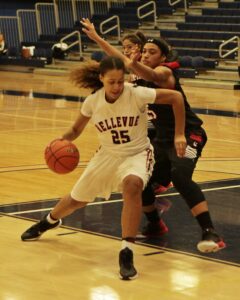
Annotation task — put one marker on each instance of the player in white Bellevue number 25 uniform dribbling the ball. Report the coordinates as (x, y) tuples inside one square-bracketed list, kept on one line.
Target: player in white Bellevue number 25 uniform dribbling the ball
[(125, 159)]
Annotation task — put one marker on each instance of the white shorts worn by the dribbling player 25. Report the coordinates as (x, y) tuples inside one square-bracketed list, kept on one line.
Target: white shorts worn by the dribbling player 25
[(105, 173)]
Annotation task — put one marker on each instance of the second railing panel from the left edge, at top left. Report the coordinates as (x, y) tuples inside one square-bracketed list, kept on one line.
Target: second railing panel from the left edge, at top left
[(27, 25)]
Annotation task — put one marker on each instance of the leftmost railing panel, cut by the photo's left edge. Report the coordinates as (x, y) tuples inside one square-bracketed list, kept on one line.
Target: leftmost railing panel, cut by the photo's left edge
[(9, 28)]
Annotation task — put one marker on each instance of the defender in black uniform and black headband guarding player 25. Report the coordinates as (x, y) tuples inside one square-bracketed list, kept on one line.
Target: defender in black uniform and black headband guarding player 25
[(169, 167)]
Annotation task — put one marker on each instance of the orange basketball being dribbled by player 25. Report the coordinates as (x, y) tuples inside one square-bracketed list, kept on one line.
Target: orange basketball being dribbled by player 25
[(61, 156)]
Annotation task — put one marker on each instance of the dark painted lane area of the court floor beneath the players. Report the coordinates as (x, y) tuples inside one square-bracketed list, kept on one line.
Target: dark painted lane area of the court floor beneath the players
[(184, 233)]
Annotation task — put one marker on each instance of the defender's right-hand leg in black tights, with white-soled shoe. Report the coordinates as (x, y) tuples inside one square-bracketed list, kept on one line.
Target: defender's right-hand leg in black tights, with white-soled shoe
[(182, 171)]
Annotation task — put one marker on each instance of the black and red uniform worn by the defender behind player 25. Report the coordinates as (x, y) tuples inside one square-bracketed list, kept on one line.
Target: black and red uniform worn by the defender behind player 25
[(169, 167)]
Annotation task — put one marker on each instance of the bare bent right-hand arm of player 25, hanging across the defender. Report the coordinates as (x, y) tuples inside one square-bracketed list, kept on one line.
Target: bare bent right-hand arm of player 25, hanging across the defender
[(174, 98)]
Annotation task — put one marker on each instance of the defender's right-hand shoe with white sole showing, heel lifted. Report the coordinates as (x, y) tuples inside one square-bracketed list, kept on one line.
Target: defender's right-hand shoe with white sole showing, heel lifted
[(211, 241)]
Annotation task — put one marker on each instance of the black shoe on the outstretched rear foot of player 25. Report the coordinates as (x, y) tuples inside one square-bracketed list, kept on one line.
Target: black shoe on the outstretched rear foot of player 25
[(35, 231)]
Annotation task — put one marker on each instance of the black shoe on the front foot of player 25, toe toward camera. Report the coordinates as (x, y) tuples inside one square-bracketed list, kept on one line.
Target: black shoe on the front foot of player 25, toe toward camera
[(127, 269)]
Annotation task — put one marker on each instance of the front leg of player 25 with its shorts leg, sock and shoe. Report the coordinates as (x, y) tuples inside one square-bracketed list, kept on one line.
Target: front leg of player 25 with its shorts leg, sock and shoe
[(135, 173)]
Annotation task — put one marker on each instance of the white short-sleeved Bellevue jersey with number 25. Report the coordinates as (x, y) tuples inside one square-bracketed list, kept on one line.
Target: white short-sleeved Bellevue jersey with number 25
[(122, 125)]
